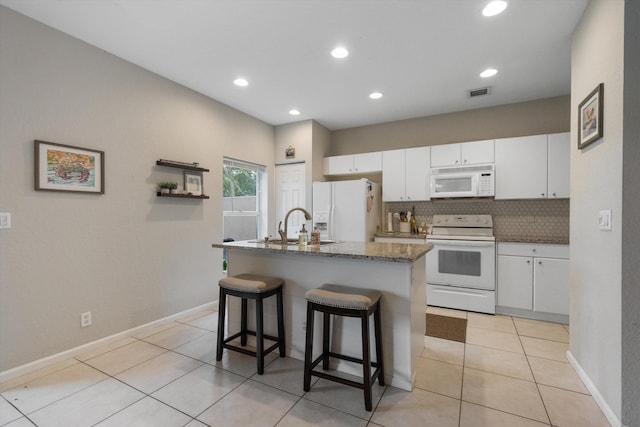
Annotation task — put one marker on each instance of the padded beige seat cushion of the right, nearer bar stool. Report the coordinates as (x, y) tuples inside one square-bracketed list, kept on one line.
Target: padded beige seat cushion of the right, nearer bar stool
[(343, 296)]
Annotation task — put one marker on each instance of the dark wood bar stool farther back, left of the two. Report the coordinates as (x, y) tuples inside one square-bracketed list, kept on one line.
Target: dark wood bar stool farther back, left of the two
[(255, 287)]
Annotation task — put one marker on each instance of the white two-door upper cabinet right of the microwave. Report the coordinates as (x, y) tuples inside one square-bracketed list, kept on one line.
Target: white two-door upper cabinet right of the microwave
[(532, 167)]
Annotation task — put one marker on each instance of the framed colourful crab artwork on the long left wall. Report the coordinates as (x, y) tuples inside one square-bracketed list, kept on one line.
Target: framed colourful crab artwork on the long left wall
[(60, 167)]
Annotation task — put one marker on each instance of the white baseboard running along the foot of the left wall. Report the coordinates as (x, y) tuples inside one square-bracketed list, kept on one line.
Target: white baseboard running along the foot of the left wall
[(12, 373)]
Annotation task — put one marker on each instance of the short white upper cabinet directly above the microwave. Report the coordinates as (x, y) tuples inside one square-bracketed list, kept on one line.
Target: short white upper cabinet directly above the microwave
[(461, 154)]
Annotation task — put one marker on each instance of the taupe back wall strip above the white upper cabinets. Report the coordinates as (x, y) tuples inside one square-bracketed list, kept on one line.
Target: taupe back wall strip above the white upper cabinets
[(550, 115)]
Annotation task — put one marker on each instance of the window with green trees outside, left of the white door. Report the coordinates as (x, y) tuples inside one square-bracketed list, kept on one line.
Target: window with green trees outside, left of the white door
[(245, 201)]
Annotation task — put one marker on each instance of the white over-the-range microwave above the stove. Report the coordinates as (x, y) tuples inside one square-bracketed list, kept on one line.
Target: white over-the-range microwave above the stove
[(463, 181)]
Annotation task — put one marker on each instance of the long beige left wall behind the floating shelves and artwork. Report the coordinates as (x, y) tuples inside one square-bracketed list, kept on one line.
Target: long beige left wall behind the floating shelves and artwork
[(126, 256)]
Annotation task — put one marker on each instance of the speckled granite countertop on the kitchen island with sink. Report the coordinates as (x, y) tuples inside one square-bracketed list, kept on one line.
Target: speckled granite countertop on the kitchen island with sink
[(390, 252)]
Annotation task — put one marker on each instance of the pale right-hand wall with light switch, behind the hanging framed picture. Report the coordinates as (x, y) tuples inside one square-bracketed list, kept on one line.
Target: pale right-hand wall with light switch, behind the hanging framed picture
[(596, 184)]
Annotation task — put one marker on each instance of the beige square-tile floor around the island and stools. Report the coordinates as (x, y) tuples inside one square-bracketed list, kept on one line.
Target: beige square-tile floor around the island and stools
[(511, 372)]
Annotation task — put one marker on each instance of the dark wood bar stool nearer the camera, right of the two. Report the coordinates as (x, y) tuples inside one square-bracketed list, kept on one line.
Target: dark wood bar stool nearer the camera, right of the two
[(350, 302)]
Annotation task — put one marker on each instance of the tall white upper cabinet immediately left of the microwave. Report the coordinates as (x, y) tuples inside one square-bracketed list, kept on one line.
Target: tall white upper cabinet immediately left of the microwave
[(405, 175)]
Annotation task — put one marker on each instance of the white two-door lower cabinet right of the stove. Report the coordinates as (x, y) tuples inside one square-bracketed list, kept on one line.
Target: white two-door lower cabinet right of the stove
[(533, 277)]
